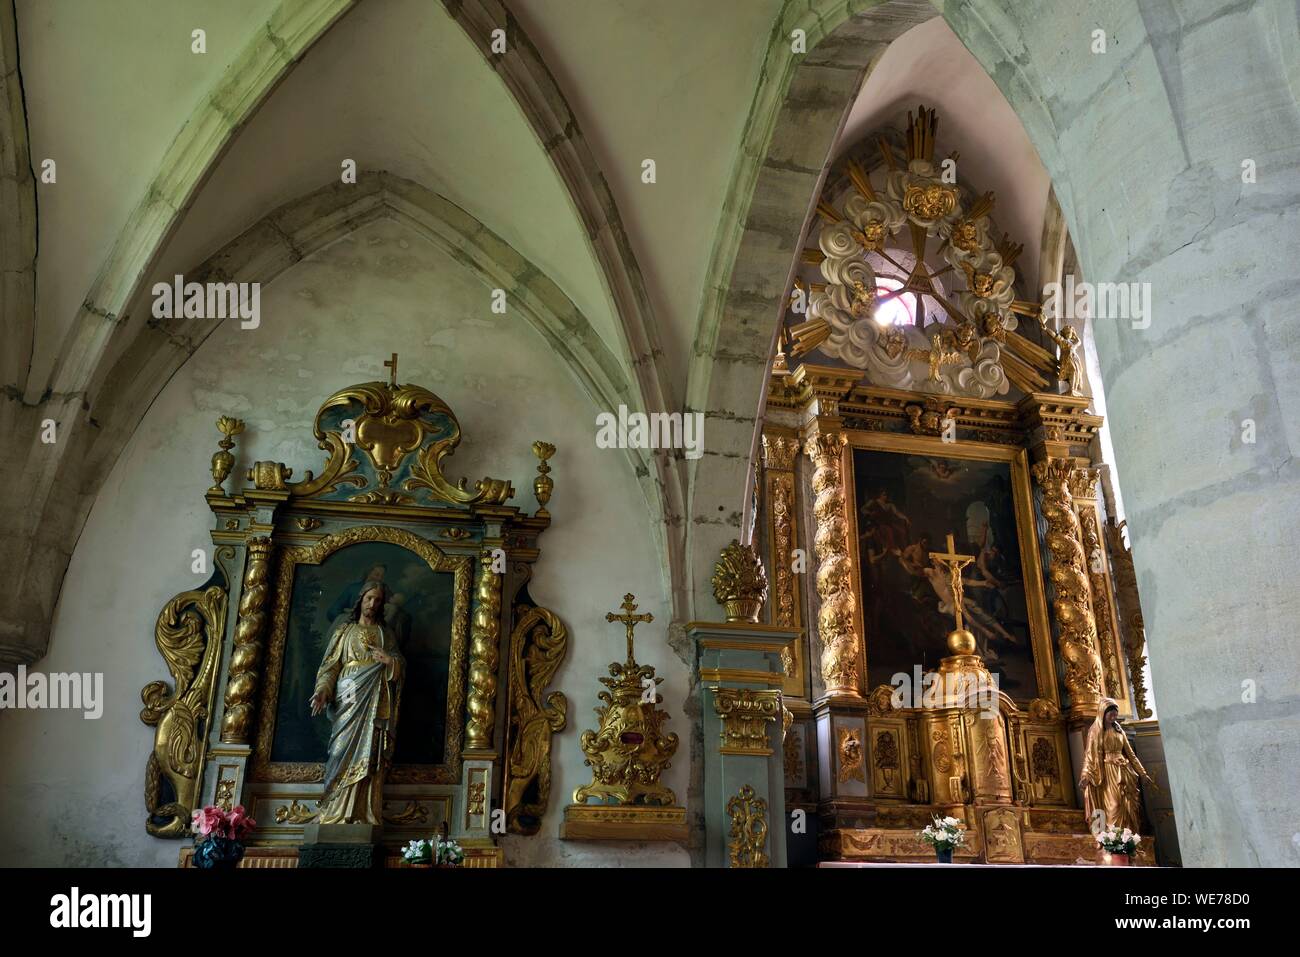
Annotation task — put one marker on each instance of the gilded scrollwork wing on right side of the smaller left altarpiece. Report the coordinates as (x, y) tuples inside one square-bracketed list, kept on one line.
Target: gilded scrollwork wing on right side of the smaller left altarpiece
[(538, 647)]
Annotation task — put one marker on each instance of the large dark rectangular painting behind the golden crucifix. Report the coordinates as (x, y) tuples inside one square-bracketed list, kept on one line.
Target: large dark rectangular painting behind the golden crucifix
[(907, 508)]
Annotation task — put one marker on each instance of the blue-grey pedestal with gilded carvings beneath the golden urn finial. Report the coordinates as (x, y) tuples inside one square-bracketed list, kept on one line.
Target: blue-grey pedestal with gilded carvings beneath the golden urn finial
[(740, 682)]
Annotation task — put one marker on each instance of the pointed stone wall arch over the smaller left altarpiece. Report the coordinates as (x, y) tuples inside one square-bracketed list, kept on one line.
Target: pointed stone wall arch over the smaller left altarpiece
[(123, 395)]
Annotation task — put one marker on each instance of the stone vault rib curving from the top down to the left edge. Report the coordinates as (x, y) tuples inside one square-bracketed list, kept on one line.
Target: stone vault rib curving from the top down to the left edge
[(37, 539)]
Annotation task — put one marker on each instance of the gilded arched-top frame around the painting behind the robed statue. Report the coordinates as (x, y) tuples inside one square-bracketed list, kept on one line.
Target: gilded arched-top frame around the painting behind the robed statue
[(265, 770)]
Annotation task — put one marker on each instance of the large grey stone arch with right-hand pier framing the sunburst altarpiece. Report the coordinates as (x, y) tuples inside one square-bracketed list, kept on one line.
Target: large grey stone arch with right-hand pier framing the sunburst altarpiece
[(1147, 167)]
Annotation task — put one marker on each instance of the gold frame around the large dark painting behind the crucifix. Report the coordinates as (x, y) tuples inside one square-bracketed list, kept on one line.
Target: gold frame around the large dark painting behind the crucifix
[(1022, 497)]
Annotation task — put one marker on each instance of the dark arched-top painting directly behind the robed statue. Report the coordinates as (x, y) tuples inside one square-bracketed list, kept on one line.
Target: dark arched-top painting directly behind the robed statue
[(418, 609)]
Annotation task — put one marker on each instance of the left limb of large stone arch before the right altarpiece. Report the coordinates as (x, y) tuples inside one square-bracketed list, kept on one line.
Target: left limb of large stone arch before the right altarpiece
[(796, 116)]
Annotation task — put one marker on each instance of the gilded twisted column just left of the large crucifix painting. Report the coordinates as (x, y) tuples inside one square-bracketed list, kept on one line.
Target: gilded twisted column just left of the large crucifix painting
[(840, 651)]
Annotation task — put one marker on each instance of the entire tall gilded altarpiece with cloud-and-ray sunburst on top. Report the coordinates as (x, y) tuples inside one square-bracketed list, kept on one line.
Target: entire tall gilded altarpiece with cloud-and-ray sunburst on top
[(972, 379)]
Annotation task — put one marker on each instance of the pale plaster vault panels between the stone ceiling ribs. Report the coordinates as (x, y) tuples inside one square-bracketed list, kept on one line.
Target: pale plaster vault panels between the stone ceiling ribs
[(396, 85)]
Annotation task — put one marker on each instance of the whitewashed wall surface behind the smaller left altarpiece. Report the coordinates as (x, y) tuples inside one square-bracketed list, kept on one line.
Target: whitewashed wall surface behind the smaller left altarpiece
[(72, 789)]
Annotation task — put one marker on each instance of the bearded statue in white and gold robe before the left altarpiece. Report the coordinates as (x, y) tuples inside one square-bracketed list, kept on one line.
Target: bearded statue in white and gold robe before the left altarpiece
[(359, 687)]
